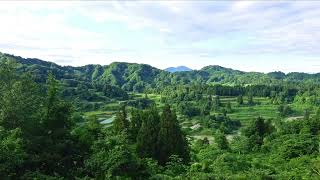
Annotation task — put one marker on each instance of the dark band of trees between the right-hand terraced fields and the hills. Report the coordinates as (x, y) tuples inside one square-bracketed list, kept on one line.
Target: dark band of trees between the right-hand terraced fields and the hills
[(200, 91)]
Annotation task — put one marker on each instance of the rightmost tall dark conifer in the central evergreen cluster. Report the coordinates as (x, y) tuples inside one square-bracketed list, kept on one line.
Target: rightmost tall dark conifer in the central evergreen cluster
[(171, 140)]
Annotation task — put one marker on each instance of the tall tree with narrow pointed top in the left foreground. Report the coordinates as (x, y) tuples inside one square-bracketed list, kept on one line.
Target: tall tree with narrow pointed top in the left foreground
[(53, 151)]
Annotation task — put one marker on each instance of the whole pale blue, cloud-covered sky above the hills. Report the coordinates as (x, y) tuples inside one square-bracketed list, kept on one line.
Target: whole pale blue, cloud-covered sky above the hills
[(251, 35)]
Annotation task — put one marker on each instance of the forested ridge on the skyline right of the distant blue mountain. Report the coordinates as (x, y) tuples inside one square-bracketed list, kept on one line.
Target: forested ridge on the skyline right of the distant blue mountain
[(222, 75)]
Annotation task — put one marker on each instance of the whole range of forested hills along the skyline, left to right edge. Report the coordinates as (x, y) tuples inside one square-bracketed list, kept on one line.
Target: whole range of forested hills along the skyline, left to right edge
[(138, 77)]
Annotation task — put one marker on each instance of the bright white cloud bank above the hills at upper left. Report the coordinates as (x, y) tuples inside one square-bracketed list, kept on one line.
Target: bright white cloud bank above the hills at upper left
[(48, 36)]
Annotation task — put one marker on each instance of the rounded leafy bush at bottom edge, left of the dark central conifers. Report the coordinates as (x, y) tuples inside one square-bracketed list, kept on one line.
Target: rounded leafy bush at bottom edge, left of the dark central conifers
[(112, 158)]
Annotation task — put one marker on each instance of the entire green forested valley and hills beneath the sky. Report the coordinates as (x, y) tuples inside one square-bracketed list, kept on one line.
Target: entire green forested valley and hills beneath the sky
[(134, 121)]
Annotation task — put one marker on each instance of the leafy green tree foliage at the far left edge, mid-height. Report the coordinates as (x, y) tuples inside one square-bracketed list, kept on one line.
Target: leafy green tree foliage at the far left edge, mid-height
[(19, 101)]
